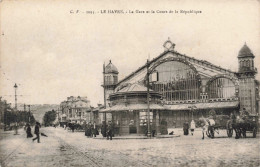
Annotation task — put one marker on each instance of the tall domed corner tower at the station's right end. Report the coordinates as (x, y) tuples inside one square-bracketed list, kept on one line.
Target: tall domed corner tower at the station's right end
[(248, 87)]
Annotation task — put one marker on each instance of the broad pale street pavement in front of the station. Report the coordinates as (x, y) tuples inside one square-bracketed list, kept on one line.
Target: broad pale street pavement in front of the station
[(64, 148)]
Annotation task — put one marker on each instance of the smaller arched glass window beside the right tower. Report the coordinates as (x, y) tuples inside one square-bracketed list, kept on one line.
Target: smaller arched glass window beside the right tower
[(221, 88)]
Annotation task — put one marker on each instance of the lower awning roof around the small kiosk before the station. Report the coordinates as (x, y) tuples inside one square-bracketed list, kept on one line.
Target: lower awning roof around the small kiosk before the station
[(123, 107)]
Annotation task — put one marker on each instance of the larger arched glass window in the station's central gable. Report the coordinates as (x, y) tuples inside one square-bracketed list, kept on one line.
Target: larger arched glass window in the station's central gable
[(176, 81)]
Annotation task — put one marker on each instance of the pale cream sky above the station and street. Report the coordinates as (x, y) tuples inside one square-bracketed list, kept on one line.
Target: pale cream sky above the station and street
[(52, 52)]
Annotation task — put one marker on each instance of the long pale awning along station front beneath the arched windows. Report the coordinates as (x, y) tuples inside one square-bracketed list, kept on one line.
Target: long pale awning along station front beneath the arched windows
[(230, 104)]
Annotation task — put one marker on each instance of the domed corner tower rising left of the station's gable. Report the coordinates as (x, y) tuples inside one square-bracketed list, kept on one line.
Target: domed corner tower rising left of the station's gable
[(110, 80)]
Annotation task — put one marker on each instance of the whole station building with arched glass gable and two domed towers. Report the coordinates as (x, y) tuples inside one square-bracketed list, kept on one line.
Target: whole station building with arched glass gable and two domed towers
[(181, 88)]
